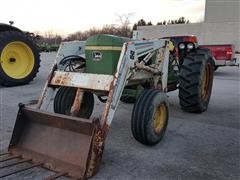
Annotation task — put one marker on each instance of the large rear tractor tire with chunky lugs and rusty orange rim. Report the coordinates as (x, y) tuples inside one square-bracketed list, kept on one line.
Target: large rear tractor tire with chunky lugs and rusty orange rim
[(195, 81)]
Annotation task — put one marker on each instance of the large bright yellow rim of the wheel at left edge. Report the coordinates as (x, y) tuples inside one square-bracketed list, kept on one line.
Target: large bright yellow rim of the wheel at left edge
[(17, 60)]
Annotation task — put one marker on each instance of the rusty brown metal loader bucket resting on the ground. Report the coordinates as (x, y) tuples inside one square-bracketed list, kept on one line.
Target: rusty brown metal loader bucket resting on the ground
[(61, 143)]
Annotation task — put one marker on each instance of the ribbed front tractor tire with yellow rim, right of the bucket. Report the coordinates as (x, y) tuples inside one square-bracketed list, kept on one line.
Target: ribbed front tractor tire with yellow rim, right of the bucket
[(150, 117)]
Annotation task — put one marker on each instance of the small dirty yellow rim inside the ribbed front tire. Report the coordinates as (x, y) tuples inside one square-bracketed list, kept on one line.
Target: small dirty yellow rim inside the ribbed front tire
[(160, 117)]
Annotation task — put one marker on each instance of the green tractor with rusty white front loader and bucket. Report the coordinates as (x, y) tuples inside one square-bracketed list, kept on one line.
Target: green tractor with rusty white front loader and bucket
[(69, 140)]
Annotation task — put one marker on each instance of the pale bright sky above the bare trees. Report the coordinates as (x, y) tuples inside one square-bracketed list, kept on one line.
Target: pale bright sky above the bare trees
[(68, 16)]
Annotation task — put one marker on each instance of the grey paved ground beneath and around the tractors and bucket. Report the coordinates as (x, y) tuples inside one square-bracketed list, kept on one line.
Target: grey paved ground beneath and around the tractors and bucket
[(195, 146)]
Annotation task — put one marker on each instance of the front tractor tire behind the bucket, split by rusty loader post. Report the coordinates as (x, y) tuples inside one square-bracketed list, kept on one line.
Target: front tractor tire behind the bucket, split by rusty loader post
[(64, 99)]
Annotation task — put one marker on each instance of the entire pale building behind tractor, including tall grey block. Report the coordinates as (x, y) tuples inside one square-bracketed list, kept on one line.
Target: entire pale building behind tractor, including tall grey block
[(221, 26)]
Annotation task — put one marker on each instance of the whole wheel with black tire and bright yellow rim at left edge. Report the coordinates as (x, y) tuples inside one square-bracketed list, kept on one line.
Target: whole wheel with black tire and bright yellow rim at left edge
[(19, 58)]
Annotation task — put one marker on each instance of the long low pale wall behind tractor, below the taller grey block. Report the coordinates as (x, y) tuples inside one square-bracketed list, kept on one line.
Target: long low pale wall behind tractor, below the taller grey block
[(207, 33)]
